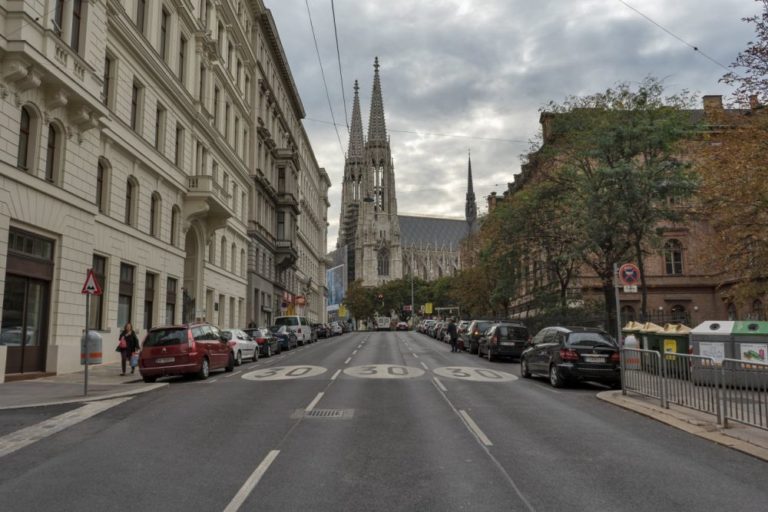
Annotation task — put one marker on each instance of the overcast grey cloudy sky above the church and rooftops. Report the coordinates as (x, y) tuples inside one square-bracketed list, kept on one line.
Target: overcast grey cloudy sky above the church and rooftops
[(461, 74)]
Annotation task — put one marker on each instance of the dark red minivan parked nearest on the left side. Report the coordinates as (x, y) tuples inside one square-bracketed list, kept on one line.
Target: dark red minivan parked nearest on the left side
[(194, 348)]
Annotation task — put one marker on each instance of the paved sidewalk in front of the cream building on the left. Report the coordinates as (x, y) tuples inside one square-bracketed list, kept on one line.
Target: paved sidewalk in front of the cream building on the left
[(104, 381)]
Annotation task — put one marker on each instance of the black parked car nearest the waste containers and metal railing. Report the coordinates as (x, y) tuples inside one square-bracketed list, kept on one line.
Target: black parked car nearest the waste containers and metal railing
[(566, 354)]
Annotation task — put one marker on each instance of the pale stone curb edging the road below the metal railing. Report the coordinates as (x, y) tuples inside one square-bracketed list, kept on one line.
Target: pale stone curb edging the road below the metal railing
[(705, 430)]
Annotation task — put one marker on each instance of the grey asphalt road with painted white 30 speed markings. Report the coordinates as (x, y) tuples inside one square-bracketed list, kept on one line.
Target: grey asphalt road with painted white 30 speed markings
[(373, 421)]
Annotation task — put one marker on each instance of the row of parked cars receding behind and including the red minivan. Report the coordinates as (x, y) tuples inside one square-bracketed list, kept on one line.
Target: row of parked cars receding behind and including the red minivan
[(199, 348)]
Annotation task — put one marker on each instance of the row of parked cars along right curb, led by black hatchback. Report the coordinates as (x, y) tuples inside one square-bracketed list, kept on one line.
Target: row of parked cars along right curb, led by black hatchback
[(561, 354)]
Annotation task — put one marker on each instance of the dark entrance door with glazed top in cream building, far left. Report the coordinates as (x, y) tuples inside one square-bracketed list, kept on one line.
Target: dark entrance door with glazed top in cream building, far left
[(24, 321)]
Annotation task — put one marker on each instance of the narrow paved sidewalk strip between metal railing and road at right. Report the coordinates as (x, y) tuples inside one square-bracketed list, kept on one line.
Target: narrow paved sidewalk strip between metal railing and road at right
[(750, 440)]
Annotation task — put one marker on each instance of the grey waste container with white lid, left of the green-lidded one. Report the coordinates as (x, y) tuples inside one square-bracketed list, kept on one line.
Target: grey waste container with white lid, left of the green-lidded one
[(712, 338)]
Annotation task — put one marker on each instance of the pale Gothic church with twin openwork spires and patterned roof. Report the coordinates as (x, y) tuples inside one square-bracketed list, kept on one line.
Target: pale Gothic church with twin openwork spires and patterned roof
[(375, 242)]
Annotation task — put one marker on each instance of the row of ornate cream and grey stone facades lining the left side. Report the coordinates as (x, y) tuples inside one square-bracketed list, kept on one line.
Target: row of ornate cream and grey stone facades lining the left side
[(138, 135)]
